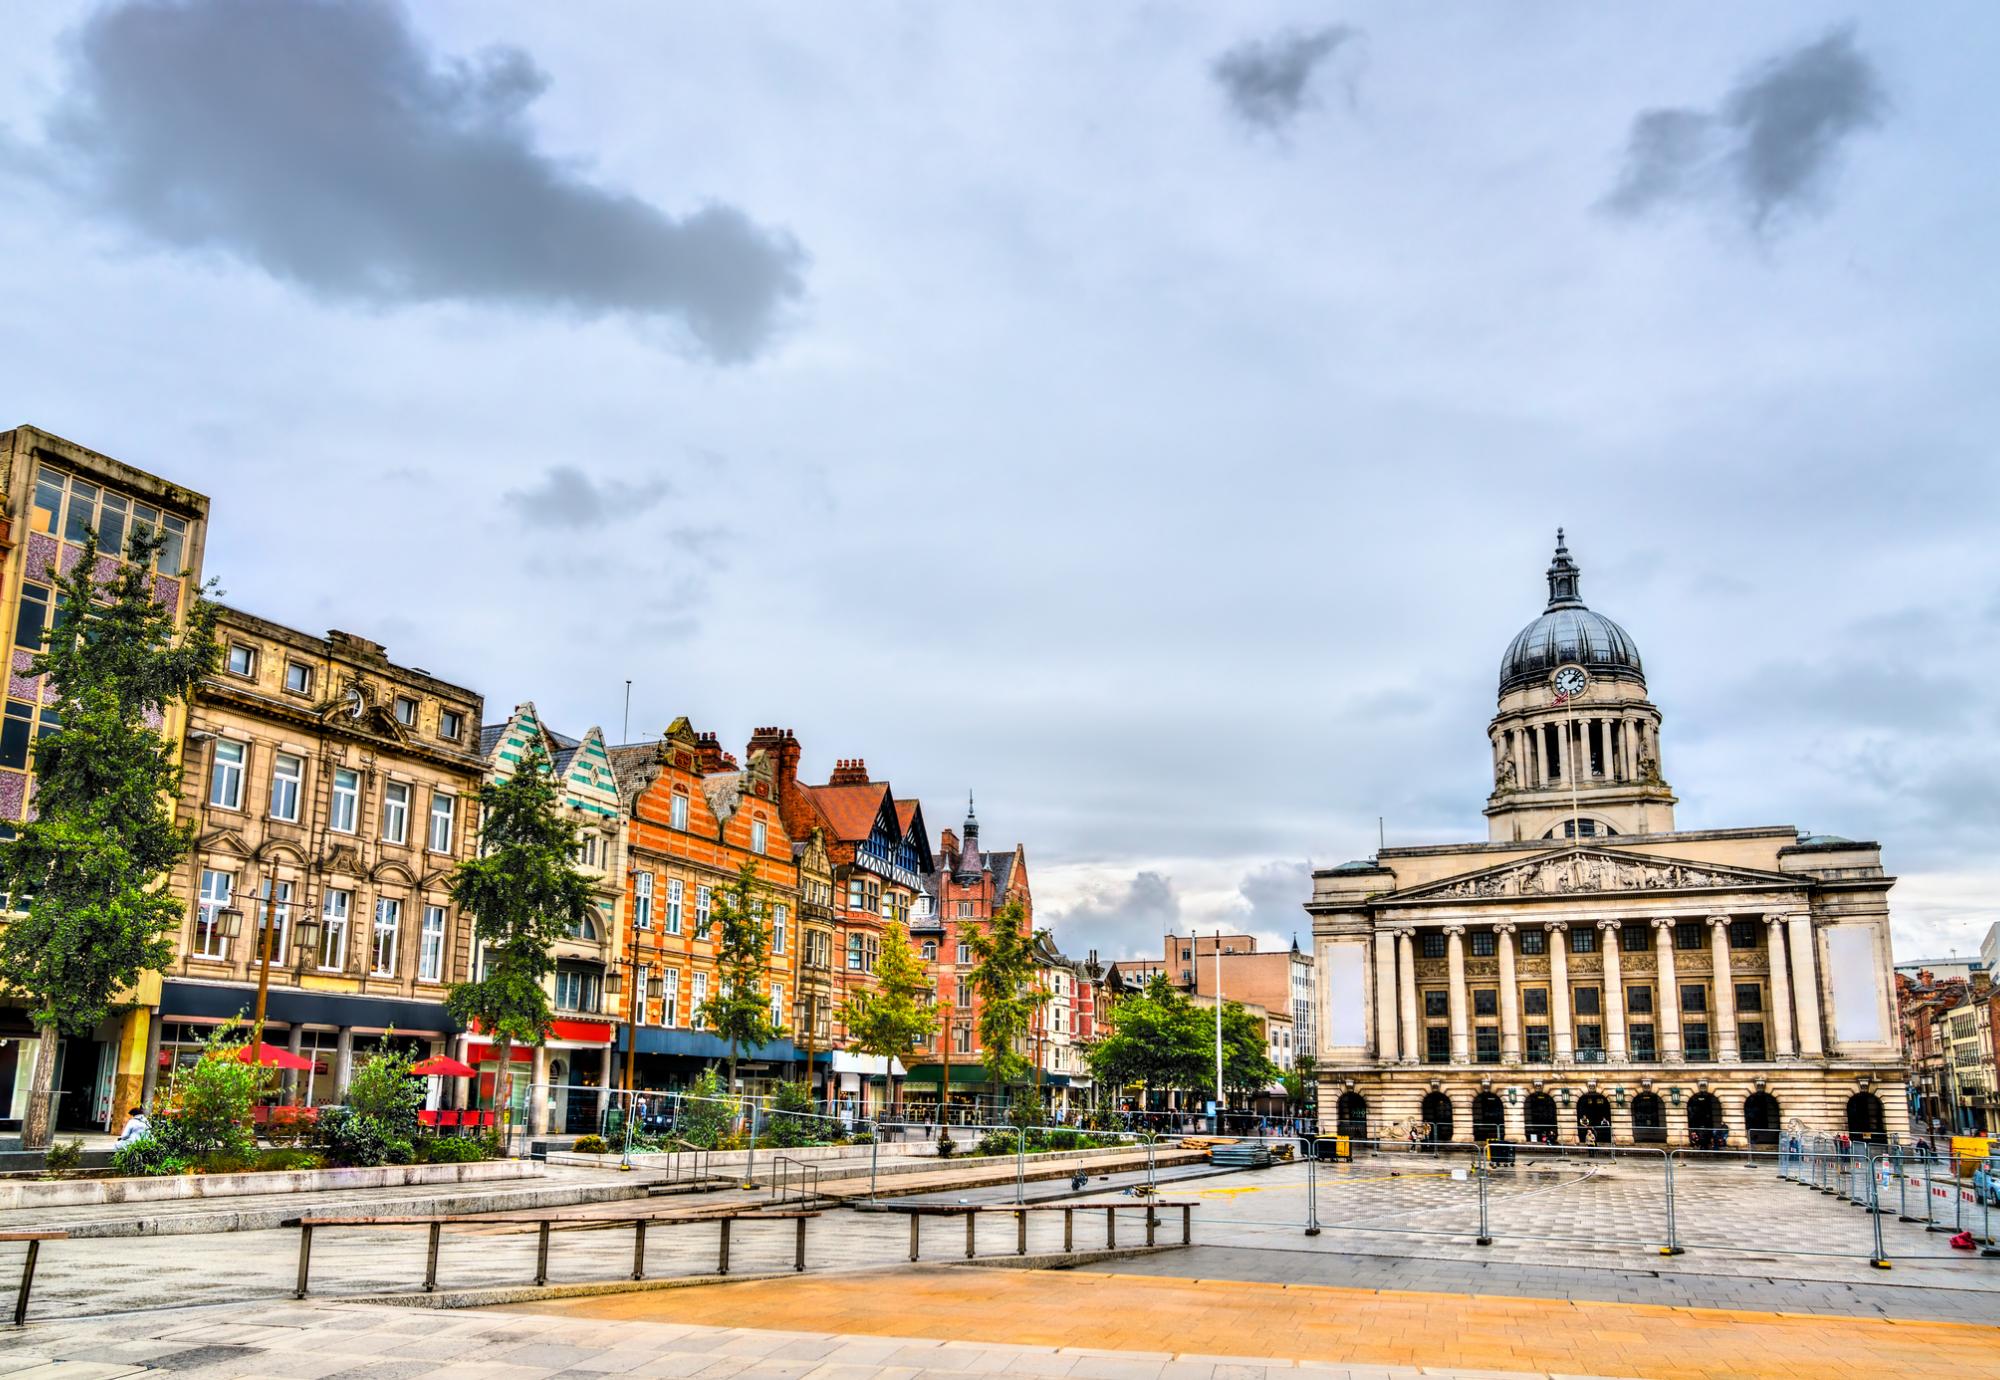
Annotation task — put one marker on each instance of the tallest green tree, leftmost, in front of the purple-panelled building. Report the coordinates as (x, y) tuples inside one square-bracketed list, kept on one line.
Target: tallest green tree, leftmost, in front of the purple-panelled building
[(87, 867)]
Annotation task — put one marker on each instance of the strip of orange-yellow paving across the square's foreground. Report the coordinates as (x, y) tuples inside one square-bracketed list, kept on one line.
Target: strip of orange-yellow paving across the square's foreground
[(1321, 1325)]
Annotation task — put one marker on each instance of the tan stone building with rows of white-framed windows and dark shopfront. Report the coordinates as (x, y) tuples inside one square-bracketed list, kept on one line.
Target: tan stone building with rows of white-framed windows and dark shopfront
[(331, 793)]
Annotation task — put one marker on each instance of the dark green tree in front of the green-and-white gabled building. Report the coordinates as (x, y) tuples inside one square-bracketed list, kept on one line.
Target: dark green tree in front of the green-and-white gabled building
[(523, 895)]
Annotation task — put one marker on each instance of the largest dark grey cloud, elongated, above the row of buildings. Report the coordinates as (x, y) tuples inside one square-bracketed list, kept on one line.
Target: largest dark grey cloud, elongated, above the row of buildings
[(325, 145)]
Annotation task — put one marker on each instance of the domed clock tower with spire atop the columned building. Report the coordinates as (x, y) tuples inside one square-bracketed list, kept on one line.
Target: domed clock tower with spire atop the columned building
[(1577, 743)]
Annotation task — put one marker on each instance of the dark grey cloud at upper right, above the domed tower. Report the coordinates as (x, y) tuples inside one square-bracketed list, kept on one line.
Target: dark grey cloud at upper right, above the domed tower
[(1767, 149)]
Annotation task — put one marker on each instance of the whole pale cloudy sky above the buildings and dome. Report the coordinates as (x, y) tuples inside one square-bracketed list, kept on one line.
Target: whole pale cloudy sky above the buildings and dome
[(1151, 417)]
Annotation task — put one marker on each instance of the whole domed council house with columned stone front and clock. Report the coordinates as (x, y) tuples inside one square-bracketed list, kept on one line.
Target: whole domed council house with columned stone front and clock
[(1593, 965)]
